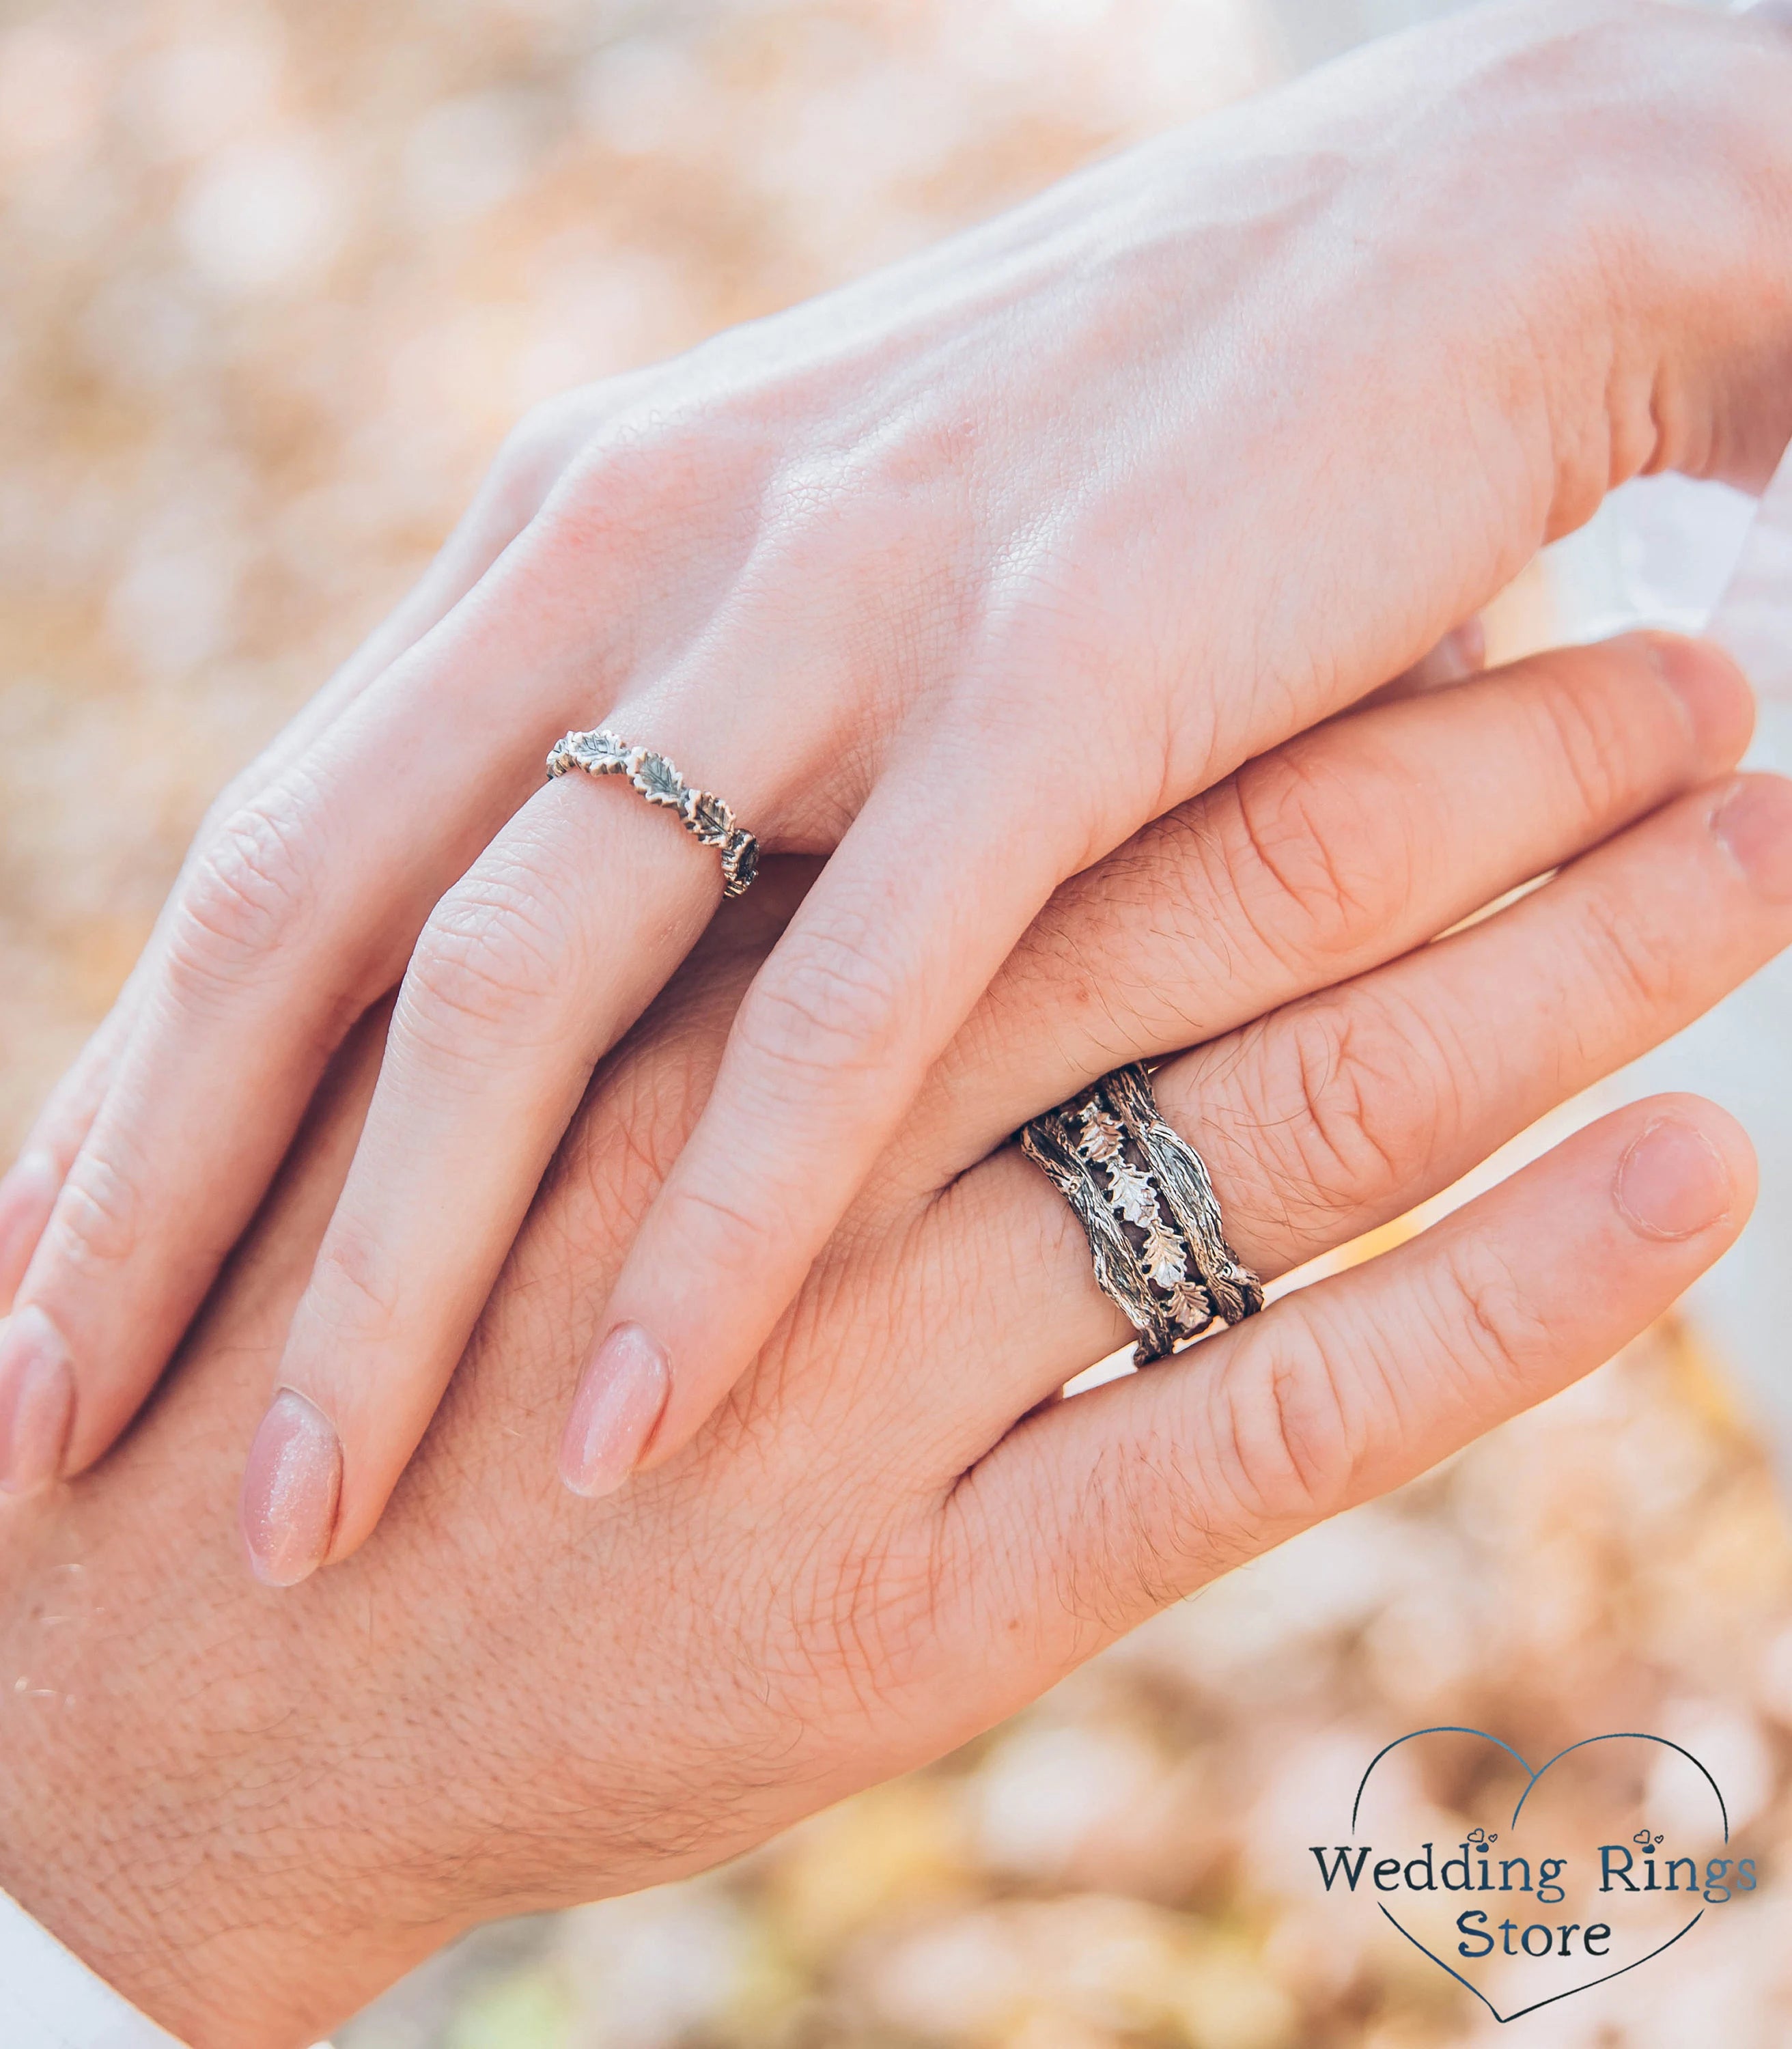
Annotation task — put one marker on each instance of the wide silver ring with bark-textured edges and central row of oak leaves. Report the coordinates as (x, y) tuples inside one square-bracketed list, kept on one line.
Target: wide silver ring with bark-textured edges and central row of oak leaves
[(1146, 1204)]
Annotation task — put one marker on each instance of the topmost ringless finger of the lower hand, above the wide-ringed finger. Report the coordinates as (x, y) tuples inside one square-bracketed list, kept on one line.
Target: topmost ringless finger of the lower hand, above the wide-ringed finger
[(1320, 862)]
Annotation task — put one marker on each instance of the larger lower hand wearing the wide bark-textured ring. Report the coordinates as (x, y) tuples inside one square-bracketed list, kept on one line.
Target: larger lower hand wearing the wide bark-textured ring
[(255, 1808)]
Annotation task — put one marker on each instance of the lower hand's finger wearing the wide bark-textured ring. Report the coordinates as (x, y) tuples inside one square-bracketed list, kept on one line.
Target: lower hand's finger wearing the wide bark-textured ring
[(1351, 1107)]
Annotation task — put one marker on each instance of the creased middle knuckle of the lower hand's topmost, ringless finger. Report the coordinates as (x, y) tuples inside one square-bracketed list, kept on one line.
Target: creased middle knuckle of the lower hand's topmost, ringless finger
[(1316, 862)]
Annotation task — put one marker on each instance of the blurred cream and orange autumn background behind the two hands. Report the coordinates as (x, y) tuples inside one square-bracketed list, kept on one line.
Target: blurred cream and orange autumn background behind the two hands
[(275, 282)]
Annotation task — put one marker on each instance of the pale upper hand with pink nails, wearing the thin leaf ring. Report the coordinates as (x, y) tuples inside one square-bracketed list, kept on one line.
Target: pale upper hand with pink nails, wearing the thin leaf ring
[(959, 577)]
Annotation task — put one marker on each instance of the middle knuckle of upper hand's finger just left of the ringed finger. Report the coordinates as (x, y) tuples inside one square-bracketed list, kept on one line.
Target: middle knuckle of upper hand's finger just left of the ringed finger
[(245, 896)]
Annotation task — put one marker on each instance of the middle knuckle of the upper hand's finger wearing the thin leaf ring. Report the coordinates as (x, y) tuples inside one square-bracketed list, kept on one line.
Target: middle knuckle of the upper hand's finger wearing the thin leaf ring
[(490, 958)]
